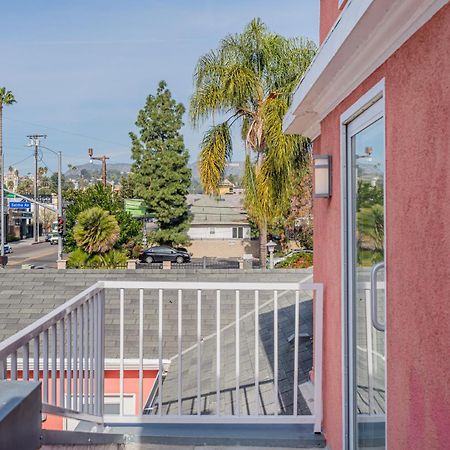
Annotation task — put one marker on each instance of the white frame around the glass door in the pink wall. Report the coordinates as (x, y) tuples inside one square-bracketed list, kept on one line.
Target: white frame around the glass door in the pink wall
[(374, 95)]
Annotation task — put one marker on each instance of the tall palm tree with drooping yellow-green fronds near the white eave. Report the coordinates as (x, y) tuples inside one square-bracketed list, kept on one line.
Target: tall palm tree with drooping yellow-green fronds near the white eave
[(250, 79)]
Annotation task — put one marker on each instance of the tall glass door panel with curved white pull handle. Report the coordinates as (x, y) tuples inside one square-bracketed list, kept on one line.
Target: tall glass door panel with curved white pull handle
[(367, 352)]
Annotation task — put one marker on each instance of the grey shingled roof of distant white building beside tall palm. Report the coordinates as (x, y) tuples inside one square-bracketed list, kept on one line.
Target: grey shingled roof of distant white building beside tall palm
[(224, 210)]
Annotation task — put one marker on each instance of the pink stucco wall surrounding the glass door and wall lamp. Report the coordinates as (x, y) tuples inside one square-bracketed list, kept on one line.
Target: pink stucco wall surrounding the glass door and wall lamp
[(417, 83)]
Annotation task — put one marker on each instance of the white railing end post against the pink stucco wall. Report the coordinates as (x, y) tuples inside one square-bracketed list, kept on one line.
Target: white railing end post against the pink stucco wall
[(318, 356)]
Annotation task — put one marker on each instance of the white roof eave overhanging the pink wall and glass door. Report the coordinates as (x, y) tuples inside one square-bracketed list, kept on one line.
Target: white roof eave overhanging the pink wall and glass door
[(365, 35)]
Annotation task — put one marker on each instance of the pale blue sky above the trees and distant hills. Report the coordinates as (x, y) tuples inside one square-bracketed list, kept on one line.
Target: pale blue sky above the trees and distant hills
[(81, 70)]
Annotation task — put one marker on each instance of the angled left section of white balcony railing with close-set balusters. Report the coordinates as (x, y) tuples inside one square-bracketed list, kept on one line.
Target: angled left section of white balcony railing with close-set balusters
[(65, 351)]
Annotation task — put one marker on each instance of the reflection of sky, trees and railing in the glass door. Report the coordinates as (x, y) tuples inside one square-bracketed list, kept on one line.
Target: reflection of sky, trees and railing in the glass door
[(368, 165)]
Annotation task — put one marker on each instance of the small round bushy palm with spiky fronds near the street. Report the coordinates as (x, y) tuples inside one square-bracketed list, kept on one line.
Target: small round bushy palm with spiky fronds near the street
[(96, 230)]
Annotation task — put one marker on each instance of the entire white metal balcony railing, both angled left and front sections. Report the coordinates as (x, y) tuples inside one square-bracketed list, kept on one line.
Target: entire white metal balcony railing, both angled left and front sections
[(80, 344)]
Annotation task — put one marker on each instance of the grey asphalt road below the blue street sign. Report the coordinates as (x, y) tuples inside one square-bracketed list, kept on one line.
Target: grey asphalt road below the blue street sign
[(25, 252)]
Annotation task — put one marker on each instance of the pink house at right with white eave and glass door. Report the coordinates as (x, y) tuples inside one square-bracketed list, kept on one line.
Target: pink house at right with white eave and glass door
[(376, 104)]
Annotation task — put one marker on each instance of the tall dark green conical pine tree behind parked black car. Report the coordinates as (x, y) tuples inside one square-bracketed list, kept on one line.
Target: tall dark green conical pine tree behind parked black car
[(160, 166)]
